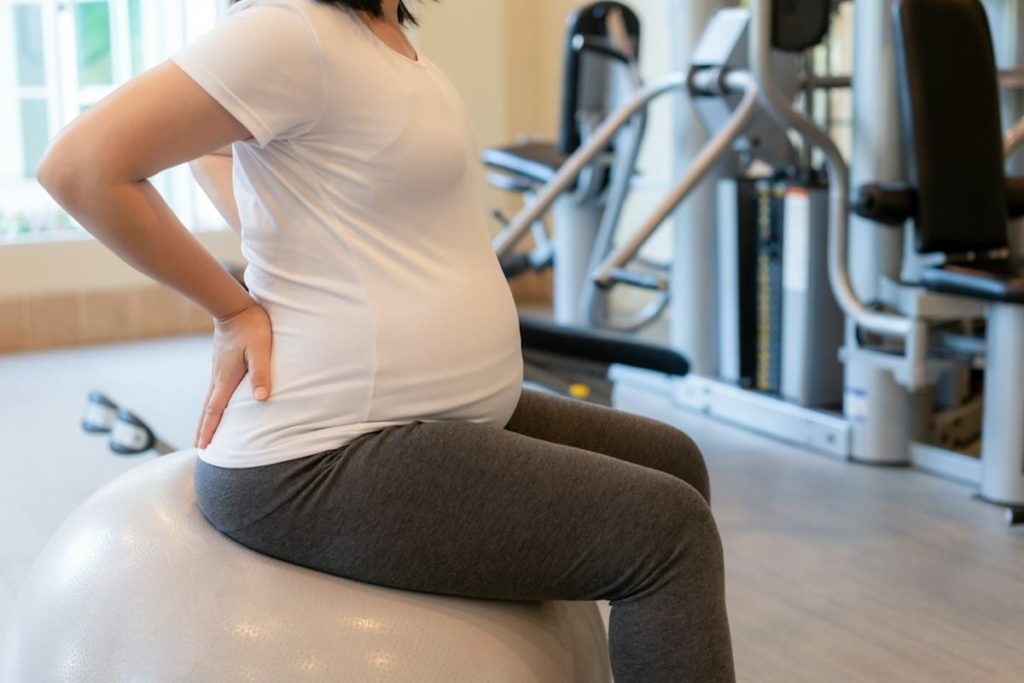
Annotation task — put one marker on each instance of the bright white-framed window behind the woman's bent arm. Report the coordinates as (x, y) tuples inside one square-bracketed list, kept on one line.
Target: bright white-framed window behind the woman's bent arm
[(58, 58)]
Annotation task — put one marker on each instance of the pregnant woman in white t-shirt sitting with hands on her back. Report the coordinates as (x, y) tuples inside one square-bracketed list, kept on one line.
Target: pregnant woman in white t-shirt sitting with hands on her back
[(383, 434)]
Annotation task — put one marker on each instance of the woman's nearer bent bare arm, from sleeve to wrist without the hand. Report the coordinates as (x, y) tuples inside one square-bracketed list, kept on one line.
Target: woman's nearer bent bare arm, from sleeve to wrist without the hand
[(98, 169)]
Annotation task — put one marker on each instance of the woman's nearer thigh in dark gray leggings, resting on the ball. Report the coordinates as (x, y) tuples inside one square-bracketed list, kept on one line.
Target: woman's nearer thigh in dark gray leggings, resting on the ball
[(464, 509)]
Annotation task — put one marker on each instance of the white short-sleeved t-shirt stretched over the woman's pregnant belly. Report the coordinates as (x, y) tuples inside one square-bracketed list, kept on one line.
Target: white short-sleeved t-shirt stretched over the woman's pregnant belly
[(365, 232)]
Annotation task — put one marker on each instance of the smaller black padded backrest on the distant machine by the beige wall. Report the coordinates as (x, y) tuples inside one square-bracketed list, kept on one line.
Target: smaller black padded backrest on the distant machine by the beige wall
[(585, 70)]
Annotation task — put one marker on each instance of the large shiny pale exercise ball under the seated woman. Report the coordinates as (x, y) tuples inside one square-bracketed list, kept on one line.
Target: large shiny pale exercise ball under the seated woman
[(138, 586)]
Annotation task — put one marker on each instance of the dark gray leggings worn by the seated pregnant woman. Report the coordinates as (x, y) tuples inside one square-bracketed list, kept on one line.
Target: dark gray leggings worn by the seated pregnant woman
[(571, 501)]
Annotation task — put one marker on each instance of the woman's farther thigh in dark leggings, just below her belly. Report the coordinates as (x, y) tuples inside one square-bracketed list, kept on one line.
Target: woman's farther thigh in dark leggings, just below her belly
[(612, 433)]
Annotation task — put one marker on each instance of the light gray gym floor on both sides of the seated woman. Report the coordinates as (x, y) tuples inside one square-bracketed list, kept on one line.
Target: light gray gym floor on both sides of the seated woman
[(836, 572)]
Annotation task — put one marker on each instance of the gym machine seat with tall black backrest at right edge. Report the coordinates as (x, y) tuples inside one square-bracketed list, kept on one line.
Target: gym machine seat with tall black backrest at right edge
[(961, 202)]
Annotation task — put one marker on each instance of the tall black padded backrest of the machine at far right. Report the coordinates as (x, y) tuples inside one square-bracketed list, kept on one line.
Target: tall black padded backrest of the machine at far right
[(952, 124)]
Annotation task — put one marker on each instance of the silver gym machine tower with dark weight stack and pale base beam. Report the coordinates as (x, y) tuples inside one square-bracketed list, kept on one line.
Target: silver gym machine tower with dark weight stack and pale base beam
[(708, 297)]
